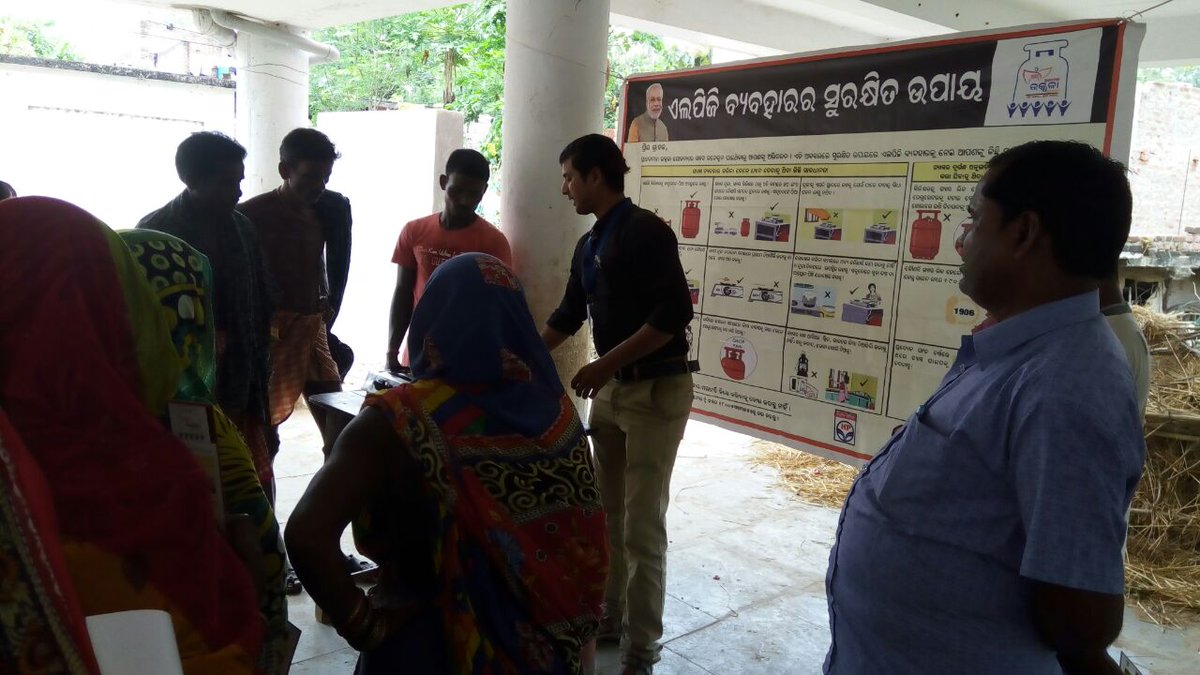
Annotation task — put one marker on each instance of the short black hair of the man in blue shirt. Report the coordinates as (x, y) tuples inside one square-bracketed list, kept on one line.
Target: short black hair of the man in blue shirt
[(1082, 198)]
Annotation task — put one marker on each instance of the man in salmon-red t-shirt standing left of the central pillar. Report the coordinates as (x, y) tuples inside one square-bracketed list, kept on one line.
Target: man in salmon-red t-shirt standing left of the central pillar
[(429, 242)]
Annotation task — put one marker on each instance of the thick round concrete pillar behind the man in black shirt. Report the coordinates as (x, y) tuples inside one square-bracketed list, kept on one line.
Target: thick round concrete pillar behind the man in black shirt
[(554, 93)]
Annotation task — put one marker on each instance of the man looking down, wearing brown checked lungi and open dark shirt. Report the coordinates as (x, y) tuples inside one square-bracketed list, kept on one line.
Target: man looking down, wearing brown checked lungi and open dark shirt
[(293, 241)]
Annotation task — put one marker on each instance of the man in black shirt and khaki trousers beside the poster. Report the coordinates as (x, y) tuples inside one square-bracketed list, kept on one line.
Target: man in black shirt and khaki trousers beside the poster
[(627, 279)]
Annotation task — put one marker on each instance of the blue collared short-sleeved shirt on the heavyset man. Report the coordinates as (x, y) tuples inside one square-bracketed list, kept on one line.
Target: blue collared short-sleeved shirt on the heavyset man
[(1019, 469)]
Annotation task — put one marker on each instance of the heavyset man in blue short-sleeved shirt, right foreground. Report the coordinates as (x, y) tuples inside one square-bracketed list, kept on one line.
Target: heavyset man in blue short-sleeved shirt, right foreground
[(987, 535)]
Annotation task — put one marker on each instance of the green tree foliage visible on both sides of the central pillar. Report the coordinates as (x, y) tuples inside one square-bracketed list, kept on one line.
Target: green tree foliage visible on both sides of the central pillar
[(407, 59)]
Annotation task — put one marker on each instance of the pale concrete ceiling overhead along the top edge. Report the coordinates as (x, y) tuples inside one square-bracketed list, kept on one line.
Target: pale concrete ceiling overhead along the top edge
[(766, 27)]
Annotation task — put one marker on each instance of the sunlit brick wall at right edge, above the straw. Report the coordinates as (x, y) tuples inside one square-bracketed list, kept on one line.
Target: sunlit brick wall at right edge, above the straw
[(1165, 159)]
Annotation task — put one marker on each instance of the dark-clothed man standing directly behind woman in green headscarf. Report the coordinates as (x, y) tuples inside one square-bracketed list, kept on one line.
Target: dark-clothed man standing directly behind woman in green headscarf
[(211, 165)]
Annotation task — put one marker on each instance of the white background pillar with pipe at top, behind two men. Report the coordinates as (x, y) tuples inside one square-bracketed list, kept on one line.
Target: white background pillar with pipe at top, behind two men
[(273, 99)]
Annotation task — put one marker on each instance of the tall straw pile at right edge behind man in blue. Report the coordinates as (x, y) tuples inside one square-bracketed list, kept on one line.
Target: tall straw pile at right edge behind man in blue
[(1163, 569)]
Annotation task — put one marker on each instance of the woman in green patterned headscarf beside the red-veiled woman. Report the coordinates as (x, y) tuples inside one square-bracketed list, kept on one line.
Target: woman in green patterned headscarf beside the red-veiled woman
[(181, 278)]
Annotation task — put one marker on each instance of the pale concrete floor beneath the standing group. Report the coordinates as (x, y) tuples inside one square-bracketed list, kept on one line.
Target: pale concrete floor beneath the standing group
[(746, 575)]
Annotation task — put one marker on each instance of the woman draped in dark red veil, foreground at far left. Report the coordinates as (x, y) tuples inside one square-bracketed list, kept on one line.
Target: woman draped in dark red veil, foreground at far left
[(136, 521)]
